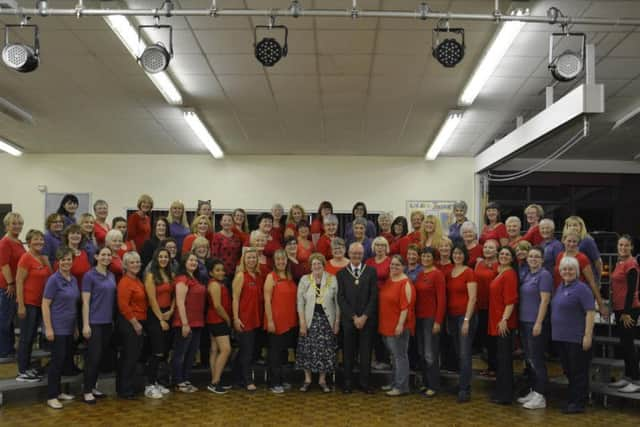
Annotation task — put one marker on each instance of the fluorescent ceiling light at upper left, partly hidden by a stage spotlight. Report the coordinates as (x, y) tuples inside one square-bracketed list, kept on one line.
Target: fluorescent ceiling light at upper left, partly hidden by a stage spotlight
[(129, 37)]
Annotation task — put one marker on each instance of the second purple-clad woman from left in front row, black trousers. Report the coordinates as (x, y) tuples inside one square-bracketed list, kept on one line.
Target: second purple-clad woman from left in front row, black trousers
[(98, 301)]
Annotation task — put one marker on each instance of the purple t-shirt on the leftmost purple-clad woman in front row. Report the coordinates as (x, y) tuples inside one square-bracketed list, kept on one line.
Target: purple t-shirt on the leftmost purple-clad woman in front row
[(64, 295)]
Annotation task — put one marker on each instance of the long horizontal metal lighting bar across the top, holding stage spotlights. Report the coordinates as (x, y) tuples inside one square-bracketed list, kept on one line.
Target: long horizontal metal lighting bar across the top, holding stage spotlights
[(344, 13)]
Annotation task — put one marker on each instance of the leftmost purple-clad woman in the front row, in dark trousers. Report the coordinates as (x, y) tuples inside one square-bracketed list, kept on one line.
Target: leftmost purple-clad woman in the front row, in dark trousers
[(59, 311)]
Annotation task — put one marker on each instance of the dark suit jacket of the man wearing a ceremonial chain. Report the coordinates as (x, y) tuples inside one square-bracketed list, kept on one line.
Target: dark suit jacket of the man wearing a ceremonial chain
[(358, 299)]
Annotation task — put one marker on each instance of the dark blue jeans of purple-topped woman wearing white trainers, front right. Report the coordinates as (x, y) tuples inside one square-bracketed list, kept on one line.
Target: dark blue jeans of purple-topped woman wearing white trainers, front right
[(534, 355)]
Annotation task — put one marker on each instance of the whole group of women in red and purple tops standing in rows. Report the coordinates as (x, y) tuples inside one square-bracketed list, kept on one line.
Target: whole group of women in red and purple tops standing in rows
[(177, 285)]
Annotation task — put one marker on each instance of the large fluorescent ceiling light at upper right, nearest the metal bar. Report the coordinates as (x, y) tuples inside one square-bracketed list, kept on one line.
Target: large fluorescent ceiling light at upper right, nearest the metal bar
[(497, 49)]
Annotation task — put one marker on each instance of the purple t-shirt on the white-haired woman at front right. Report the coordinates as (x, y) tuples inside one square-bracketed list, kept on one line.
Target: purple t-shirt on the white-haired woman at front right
[(568, 309)]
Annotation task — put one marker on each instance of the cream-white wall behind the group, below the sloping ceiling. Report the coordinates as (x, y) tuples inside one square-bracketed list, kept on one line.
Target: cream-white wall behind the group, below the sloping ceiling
[(251, 182)]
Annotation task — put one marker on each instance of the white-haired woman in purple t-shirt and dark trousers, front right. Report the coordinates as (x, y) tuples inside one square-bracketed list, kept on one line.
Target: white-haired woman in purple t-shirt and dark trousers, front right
[(572, 318)]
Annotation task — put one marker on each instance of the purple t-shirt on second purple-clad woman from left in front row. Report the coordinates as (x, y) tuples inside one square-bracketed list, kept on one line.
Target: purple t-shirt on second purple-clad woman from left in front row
[(102, 288)]
